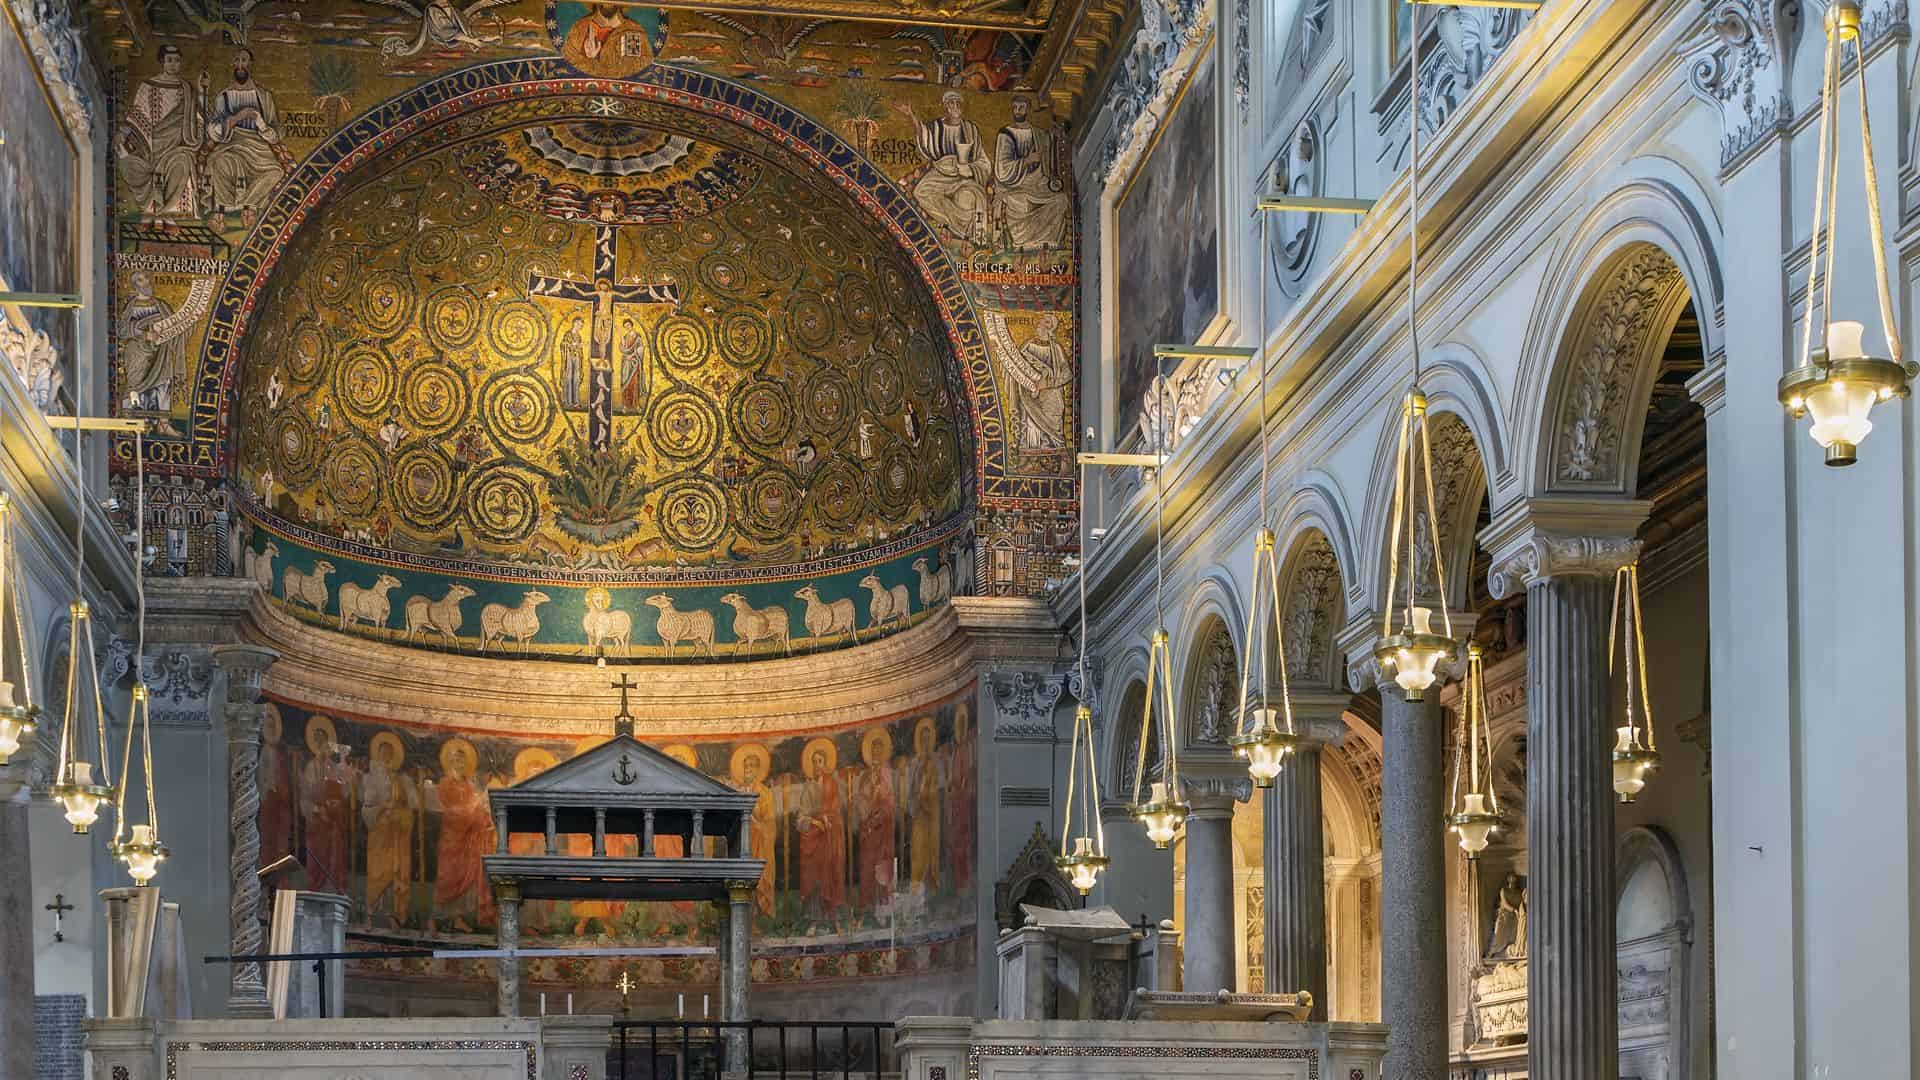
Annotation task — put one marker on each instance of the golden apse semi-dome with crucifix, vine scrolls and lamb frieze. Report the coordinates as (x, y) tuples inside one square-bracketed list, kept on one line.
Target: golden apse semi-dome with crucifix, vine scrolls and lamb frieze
[(577, 385)]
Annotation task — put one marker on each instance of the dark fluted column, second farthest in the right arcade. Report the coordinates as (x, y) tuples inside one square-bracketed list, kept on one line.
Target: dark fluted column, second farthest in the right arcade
[(1297, 868)]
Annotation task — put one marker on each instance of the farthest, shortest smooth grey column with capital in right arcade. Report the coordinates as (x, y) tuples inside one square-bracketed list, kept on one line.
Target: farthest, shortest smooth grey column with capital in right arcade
[(1209, 920)]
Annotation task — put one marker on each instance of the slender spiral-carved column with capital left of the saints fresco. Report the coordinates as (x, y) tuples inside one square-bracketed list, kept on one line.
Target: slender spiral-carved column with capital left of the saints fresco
[(245, 666)]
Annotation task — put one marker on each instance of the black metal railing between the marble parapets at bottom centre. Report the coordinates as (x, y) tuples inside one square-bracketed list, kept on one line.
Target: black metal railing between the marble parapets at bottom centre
[(698, 1050)]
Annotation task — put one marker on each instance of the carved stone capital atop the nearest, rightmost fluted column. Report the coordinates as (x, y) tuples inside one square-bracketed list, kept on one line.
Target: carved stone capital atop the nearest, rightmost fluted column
[(1562, 537)]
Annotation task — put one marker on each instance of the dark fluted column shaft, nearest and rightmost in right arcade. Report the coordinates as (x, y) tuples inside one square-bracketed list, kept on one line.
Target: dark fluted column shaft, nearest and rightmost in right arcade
[(1572, 979)]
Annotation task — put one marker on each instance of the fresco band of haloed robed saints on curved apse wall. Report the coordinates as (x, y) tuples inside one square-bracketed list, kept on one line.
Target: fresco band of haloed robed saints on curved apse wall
[(867, 833)]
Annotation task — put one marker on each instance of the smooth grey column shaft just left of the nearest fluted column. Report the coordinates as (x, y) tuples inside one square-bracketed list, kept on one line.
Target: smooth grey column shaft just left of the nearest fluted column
[(1412, 887)]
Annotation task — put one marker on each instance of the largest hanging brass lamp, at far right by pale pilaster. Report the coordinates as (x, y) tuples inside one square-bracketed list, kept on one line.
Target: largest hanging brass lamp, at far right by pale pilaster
[(1838, 383)]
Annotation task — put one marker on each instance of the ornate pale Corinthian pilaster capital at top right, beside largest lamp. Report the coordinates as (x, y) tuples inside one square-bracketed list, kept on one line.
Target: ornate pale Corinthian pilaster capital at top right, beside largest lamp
[(1744, 66)]
